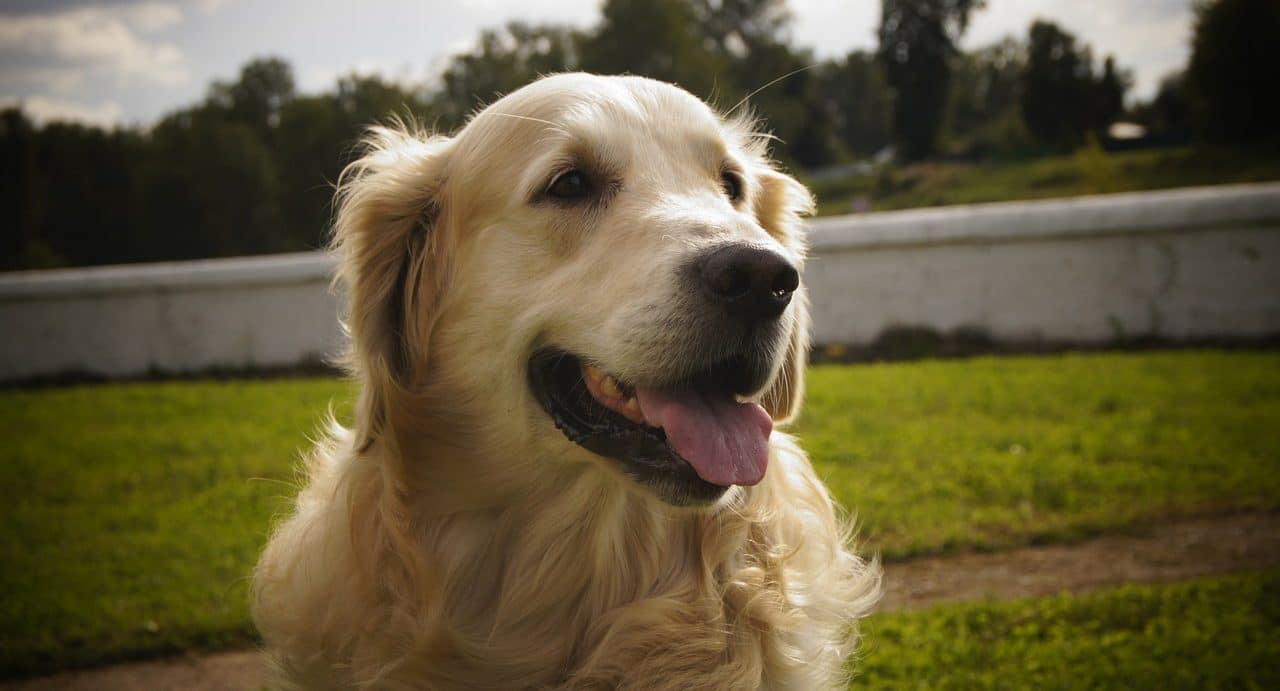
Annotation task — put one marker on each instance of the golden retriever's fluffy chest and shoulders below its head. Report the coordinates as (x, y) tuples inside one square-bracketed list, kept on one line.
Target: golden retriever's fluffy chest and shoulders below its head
[(577, 587)]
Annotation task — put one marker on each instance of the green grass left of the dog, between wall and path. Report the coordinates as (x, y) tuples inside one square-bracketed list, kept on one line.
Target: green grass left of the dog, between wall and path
[(134, 514)]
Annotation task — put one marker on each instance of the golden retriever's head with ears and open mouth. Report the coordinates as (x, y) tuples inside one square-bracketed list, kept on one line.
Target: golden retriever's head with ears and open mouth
[(596, 269)]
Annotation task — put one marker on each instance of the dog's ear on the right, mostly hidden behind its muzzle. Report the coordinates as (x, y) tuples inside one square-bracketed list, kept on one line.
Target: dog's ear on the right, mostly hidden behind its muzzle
[(780, 207)]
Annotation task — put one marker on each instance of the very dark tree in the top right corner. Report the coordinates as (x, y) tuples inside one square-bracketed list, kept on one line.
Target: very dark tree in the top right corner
[(1233, 72)]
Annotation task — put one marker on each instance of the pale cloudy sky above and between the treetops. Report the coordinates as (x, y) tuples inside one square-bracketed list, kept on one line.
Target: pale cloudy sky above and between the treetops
[(130, 62)]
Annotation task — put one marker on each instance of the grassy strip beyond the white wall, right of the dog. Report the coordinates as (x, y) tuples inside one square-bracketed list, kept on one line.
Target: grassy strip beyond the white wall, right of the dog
[(1089, 172)]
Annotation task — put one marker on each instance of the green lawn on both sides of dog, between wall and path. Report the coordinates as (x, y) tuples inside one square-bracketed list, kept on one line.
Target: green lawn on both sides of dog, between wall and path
[(135, 511)]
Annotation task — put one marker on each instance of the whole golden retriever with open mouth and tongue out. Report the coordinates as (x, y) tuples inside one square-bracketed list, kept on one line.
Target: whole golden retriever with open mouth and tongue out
[(575, 327)]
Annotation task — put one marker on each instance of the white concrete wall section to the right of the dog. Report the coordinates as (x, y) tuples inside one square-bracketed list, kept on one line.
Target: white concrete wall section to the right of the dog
[(1185, 264)]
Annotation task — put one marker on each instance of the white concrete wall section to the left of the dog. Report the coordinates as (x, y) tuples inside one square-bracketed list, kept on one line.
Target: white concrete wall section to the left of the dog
[(253, 313)]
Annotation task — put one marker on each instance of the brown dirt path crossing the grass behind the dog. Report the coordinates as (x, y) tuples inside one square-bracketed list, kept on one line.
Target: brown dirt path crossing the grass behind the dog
[(1172, 552)]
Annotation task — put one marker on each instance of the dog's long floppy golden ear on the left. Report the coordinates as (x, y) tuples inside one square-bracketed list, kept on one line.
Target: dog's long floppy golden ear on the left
[(387, 241)]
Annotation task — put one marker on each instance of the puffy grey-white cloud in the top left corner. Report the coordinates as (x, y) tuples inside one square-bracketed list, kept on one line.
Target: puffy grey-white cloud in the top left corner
[(67, 48)]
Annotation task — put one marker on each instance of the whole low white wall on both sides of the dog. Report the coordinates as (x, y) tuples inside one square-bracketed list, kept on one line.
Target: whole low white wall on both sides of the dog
[(1180, 266)]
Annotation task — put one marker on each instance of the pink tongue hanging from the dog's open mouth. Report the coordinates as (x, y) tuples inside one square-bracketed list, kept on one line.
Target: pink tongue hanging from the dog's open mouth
[(726, 442)]
